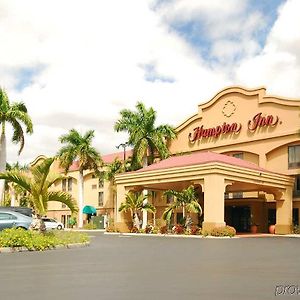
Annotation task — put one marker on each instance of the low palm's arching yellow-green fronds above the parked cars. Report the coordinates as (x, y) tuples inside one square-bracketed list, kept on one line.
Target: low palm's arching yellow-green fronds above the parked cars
[(38, 187)]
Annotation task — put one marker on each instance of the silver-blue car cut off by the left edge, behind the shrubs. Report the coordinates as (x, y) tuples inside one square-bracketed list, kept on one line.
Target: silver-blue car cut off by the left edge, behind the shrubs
[(9, 219)]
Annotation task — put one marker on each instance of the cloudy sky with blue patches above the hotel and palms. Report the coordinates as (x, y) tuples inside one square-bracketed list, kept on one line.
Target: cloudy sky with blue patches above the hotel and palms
[(78, 63)]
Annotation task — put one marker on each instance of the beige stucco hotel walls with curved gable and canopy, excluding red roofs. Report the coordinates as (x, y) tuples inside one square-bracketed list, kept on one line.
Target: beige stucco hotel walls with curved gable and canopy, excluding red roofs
[(247, 124)]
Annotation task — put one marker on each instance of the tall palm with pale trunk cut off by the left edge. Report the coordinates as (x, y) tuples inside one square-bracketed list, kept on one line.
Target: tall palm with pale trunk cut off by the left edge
[(16, 115)]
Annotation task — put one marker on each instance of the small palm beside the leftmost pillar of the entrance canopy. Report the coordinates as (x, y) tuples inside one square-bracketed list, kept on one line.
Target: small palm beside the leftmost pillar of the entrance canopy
[(135, 203)]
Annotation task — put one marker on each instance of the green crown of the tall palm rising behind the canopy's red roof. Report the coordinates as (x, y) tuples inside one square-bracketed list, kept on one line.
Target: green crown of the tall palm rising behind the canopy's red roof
[(144, 137)]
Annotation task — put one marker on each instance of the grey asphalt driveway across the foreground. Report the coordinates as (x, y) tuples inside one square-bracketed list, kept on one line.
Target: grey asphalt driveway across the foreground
[(116, 267)]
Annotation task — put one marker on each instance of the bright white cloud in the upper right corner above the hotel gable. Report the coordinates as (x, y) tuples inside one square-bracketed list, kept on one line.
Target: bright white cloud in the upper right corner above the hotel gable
[(277, 65)]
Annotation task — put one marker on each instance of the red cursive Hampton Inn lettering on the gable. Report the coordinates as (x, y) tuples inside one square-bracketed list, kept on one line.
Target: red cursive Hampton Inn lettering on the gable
[(259, 120)]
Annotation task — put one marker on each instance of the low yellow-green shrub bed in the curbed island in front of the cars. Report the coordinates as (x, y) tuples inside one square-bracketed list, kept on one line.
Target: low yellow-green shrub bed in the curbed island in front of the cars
[(32, 240)]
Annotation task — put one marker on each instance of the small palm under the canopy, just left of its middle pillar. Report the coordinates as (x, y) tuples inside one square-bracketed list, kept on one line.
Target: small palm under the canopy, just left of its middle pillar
[(186, 199)]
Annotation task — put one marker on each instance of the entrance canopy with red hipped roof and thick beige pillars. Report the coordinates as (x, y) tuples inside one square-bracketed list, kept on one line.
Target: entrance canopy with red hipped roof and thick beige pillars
[(213, 172)]
